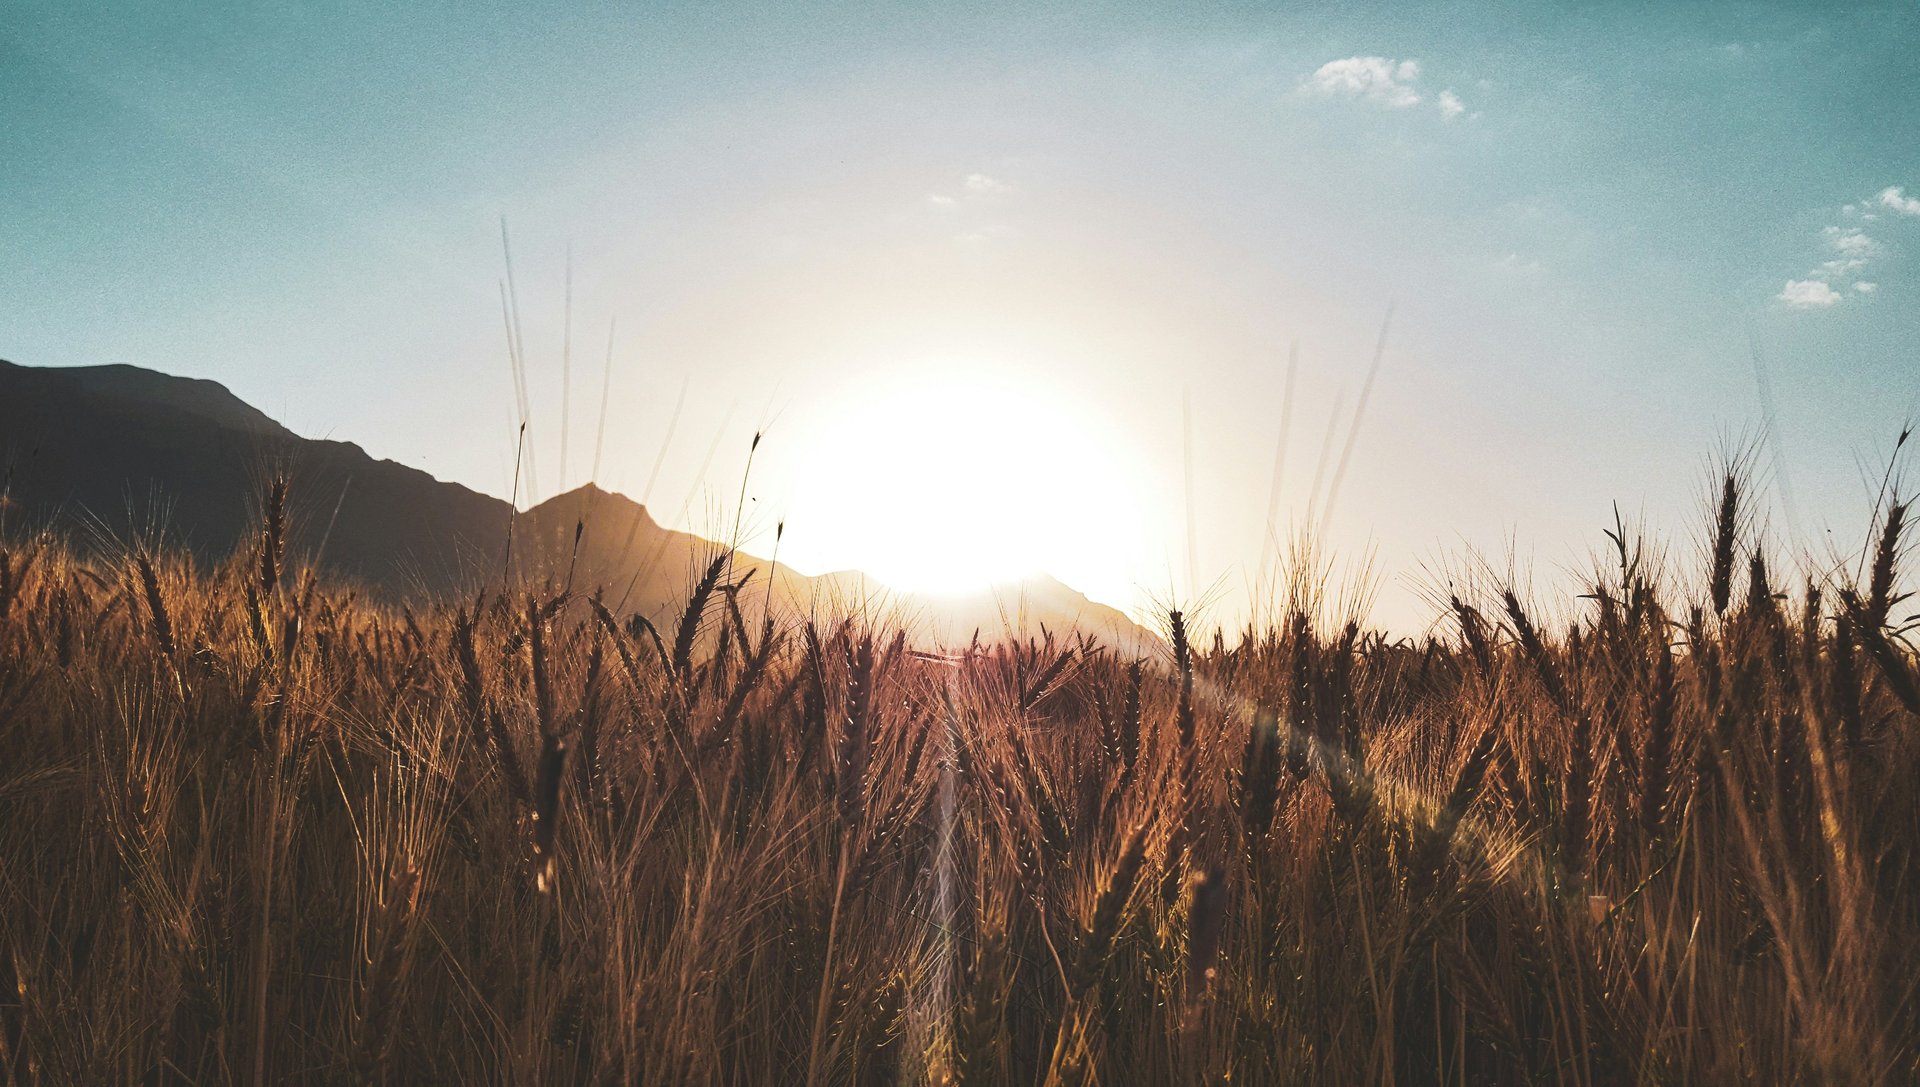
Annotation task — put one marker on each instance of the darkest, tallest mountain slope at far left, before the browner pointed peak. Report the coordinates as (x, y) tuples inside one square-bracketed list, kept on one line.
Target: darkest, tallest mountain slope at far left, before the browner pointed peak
[(130, 450)]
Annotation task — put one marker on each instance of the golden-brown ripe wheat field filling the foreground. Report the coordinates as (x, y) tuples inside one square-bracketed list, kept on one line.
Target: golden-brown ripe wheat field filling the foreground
[(258, 831)]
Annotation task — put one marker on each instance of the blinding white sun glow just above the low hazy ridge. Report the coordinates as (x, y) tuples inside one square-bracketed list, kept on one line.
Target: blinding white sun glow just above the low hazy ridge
[(957, 477)]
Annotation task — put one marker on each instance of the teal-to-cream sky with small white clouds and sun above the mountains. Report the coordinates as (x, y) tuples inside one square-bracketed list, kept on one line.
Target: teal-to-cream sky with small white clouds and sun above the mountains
[(1013, 287)]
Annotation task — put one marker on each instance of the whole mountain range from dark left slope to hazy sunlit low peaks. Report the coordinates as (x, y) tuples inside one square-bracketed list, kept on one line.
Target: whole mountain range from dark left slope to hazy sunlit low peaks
[(124, 454)]
